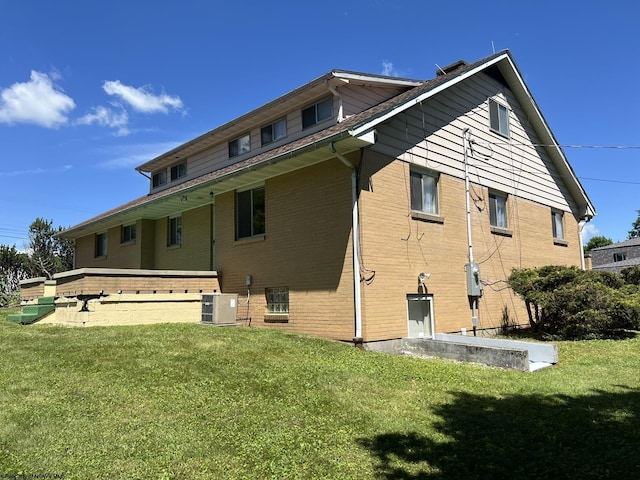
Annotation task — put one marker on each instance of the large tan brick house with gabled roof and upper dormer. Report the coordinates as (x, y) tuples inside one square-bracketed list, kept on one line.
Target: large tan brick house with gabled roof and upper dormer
[(341, 208)]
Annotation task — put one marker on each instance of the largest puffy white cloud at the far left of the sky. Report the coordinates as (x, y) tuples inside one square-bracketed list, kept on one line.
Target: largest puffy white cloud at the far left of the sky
[(38, 101)]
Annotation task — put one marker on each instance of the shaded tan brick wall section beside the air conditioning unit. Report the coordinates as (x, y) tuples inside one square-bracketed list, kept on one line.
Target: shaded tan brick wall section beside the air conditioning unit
[(307, 248)]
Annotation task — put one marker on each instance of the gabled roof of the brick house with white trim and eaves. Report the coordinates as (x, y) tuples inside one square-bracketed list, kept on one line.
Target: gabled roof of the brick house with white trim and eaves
[(349, 135)]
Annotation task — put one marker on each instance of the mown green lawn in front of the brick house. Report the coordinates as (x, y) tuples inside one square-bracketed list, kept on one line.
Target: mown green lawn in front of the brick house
[(200, 402)]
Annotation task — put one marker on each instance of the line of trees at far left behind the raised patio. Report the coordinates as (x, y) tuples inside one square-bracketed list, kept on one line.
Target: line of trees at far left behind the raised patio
[(45, 255)]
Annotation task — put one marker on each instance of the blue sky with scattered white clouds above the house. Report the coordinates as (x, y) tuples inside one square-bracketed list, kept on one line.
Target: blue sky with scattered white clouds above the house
[(90, 90)]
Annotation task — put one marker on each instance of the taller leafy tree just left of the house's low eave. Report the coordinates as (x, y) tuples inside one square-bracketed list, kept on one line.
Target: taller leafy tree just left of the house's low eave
[(49, 254)]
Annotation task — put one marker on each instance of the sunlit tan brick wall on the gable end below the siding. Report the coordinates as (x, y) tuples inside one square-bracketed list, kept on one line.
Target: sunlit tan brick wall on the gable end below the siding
[(397, 248)]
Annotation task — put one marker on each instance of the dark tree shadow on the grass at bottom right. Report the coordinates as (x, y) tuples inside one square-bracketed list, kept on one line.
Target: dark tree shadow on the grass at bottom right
[(520, 437)]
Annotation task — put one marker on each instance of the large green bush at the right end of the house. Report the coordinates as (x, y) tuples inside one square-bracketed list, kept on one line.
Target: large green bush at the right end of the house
[(568, 303)]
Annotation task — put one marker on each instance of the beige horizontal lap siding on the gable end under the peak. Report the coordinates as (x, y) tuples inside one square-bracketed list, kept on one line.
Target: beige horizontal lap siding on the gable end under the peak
[(431, 135)]
